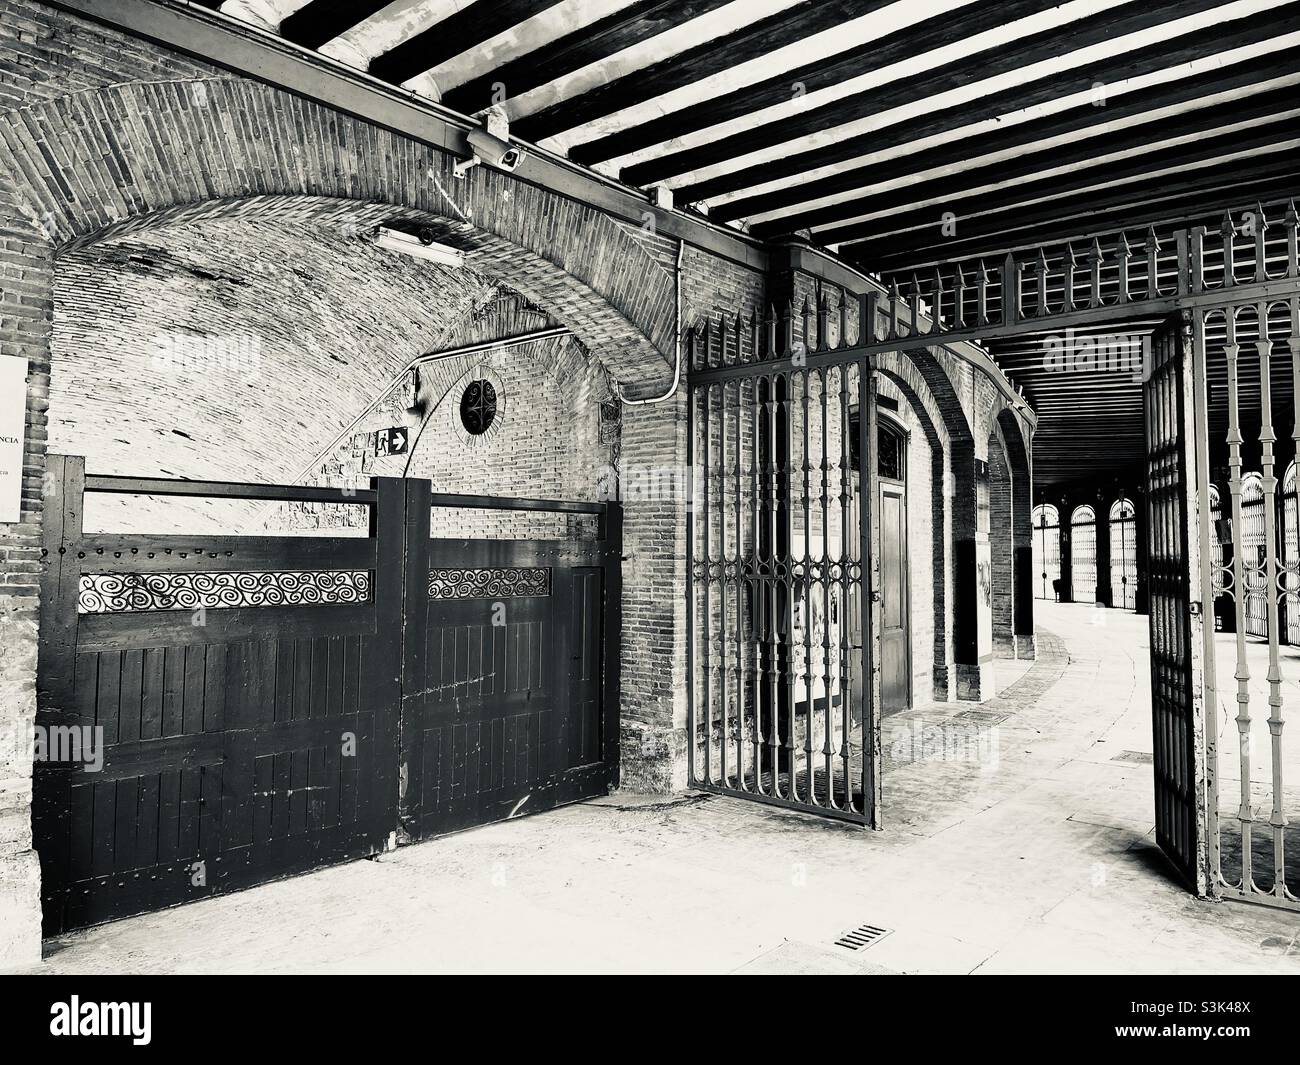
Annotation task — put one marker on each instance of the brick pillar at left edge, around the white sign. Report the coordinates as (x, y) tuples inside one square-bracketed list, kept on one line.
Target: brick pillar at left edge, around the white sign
[(25, 321)]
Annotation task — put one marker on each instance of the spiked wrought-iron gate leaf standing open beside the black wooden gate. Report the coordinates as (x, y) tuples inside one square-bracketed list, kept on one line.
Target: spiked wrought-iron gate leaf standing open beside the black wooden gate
[(785, 676)]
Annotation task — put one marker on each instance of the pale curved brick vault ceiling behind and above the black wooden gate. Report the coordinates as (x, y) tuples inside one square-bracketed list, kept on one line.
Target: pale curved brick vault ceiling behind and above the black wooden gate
[(233, 349)]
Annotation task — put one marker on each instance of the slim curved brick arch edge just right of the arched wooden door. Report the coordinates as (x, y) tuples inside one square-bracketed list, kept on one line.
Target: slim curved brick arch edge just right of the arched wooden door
[(909, 380)]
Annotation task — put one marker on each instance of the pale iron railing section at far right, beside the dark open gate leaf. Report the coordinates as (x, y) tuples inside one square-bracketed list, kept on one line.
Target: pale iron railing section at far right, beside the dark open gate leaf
[(1254, 850)]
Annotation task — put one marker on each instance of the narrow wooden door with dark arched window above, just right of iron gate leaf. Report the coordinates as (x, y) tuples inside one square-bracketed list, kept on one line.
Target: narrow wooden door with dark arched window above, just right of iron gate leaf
[(895, 585)]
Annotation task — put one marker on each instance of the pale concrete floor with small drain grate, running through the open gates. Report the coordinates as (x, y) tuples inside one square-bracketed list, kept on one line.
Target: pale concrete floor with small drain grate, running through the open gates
[(1019, 839)]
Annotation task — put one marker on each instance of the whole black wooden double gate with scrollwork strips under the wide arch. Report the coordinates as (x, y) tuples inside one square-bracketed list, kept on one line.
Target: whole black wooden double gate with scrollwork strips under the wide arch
[(215, 712)]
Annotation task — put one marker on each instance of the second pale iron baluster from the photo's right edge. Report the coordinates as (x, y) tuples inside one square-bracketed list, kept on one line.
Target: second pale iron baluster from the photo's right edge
[(1277, 817)]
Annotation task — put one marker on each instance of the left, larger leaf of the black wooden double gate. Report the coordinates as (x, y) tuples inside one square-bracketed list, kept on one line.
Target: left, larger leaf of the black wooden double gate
[(222, 681)]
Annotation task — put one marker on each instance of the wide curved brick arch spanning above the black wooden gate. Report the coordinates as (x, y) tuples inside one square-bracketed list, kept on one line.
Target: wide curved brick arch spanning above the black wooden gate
[(148, 154)]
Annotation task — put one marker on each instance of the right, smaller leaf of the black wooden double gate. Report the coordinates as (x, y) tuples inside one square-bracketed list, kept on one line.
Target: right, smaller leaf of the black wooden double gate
[(505, 709)]
